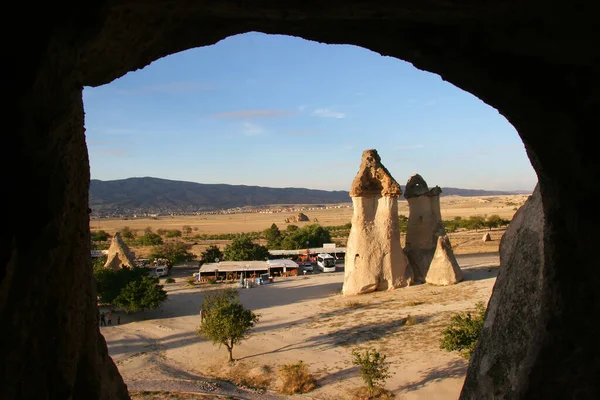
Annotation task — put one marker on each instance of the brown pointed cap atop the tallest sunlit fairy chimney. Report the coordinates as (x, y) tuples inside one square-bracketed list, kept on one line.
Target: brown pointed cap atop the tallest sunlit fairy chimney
[(373, 178)]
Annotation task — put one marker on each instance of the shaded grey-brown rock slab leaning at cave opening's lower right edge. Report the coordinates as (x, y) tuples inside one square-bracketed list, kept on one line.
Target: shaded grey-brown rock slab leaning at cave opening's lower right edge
[(502, 364)]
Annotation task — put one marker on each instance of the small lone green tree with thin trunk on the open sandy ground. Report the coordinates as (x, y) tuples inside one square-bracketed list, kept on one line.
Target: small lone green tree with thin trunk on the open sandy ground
[(224, 320)]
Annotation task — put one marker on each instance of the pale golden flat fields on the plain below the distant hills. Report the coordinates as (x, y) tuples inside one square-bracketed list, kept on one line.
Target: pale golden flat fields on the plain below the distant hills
[(451, 206)]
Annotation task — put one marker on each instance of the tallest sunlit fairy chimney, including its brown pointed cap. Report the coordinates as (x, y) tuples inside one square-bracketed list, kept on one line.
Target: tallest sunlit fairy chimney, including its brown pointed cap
[(374, 257)]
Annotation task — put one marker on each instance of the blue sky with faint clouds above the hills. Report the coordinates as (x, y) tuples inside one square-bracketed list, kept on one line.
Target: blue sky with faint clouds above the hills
[(279, 111)]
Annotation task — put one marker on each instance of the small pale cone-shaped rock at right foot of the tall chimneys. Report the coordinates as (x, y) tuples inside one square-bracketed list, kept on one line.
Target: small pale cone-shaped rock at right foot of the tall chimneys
[(444, 269)]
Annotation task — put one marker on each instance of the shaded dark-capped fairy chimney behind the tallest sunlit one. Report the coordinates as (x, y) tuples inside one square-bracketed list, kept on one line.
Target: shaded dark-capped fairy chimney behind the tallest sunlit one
[(425, 225)]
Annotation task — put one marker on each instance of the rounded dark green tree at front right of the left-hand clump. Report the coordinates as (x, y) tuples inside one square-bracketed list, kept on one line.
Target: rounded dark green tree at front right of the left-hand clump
[(141, 294)]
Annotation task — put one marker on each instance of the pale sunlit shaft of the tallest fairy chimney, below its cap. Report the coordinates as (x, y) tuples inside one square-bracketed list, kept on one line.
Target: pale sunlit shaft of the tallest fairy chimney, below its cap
[(374, 256)]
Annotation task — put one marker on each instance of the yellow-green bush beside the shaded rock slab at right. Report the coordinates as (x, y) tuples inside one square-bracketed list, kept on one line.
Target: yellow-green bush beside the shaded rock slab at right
[(463, 332)]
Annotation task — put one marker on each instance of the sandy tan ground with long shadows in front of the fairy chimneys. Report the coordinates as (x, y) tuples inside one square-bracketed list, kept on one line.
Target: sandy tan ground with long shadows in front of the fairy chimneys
[(306, 318)]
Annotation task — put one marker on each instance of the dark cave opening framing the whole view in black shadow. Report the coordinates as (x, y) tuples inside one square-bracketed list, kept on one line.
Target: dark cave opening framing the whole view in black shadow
[(536, 63)]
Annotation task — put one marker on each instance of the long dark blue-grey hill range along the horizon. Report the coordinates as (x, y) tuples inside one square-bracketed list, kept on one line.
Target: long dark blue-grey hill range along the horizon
[(155, 195)]
